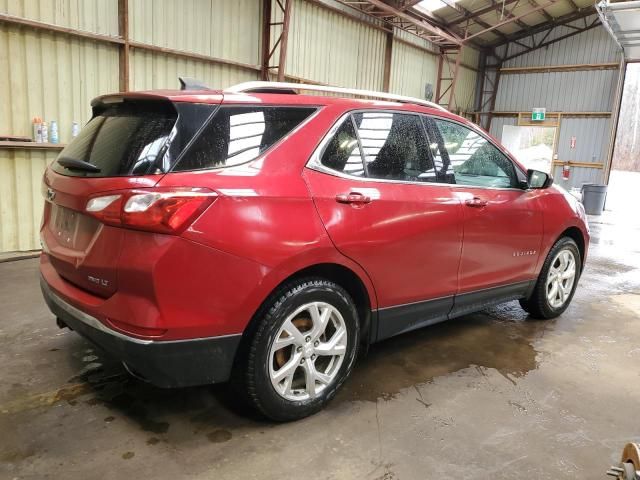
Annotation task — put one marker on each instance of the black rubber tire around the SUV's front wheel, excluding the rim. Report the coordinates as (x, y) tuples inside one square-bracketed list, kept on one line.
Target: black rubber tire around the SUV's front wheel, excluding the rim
[(537, 305)]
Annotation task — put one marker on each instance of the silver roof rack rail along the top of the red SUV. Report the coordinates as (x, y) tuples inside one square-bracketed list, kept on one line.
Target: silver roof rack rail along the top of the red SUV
[(287, 87)]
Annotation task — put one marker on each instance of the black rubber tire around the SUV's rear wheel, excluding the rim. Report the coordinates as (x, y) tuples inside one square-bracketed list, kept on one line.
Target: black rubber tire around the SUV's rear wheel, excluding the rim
[(254, 368)]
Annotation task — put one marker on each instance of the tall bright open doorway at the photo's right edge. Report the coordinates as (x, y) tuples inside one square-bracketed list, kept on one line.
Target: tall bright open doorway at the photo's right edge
[(625, 166)]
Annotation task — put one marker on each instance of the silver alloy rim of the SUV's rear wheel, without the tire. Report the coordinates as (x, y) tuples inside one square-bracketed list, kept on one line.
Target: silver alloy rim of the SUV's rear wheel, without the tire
[(308, 351)]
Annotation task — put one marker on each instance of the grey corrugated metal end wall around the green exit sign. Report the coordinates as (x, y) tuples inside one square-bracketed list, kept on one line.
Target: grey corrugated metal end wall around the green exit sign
[(576, 91)]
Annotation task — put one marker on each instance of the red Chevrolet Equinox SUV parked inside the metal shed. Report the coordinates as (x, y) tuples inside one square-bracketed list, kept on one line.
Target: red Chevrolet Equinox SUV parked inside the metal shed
[(265, 236)]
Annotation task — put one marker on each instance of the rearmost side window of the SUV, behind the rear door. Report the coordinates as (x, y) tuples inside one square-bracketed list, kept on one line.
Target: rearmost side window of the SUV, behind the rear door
[(236, 135)]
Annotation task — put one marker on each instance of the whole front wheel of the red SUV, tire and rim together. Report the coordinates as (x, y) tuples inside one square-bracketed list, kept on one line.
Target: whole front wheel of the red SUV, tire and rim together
[(557, 281)]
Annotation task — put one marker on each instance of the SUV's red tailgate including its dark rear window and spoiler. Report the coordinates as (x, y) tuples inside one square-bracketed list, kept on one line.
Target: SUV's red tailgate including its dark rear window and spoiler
[(129, 143)]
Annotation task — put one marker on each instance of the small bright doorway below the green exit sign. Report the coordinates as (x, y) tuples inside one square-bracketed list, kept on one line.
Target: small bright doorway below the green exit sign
[(531, 145)]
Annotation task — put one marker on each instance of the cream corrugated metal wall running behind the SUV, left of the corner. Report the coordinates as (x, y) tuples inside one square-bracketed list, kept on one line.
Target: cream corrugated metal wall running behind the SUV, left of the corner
[(55, 76)]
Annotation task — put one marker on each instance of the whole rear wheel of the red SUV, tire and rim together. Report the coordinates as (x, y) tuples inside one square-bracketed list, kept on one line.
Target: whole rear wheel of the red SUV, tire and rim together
[(302, 350)]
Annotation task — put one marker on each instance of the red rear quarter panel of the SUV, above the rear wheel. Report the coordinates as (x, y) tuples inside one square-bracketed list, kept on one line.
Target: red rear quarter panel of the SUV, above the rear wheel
[(265, 214)]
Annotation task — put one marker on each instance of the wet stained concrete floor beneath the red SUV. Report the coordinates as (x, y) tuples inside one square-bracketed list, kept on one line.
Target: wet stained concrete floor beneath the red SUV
[(490, 395)]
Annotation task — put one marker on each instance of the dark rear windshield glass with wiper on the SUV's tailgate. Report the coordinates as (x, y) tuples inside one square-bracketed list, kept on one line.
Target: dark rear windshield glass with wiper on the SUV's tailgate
[(126, 138)]
